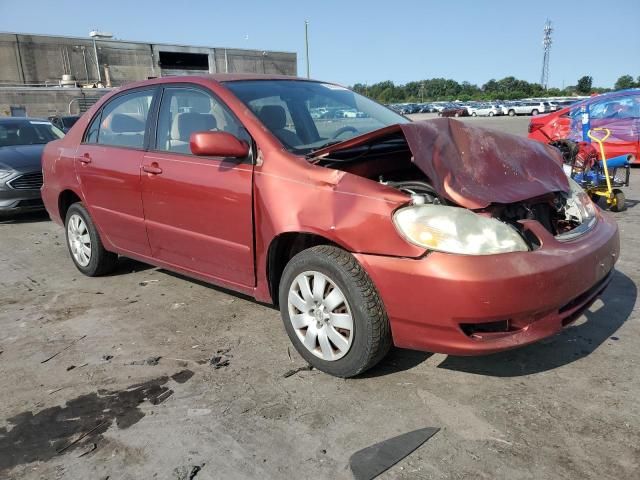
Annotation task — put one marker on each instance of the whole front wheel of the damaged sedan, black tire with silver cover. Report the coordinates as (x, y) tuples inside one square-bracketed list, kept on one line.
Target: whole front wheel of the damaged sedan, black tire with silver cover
[(327, 270)]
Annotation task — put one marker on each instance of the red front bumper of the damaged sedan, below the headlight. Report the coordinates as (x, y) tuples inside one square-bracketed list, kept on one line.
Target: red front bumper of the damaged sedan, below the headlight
[(434, 303)]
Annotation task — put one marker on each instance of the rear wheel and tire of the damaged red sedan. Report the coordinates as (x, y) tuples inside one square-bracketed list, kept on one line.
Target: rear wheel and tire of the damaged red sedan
[(81, 234)]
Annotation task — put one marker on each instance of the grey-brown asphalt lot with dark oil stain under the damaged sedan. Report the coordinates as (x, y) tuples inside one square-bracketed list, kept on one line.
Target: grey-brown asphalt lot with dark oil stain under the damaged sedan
[(146, 374)]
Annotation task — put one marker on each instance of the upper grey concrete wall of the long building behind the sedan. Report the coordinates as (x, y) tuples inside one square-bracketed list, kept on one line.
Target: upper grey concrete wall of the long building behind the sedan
[(42, 59)]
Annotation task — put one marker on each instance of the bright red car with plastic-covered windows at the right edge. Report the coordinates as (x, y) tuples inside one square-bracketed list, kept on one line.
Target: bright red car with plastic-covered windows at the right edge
[(619, 112)]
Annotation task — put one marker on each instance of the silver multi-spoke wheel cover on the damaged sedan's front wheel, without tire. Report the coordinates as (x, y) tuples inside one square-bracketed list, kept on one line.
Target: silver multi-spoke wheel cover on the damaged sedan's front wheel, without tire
[(320, 315)]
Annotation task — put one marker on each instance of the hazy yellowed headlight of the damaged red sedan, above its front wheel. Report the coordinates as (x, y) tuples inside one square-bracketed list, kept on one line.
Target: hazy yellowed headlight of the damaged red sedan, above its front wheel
[(456, 230)]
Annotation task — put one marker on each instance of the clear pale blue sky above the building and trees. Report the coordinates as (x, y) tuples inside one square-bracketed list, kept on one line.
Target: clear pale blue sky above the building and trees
[(358, 41)]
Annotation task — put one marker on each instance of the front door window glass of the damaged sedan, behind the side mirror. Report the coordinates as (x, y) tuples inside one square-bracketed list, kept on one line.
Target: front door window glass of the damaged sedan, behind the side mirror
[(184, 111)]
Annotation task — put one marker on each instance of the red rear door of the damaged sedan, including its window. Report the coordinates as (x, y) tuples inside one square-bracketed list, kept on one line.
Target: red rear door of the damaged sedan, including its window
[(108, 167)]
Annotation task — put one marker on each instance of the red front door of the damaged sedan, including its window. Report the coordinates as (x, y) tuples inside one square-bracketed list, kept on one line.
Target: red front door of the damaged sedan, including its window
[(198, 210)]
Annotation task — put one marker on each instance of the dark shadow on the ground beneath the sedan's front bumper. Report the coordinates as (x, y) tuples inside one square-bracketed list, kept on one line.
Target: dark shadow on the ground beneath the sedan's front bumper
[(595, 327)]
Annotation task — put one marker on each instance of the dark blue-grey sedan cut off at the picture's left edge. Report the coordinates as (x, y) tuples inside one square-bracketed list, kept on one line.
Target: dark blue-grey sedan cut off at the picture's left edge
[(21, 143)]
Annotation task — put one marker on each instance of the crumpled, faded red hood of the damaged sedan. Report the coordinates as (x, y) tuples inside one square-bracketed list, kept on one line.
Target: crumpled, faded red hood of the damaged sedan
[(475, 167)]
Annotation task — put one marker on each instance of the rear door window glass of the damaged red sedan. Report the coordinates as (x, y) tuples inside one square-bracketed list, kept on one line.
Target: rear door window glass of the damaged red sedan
[(123, 120)]
